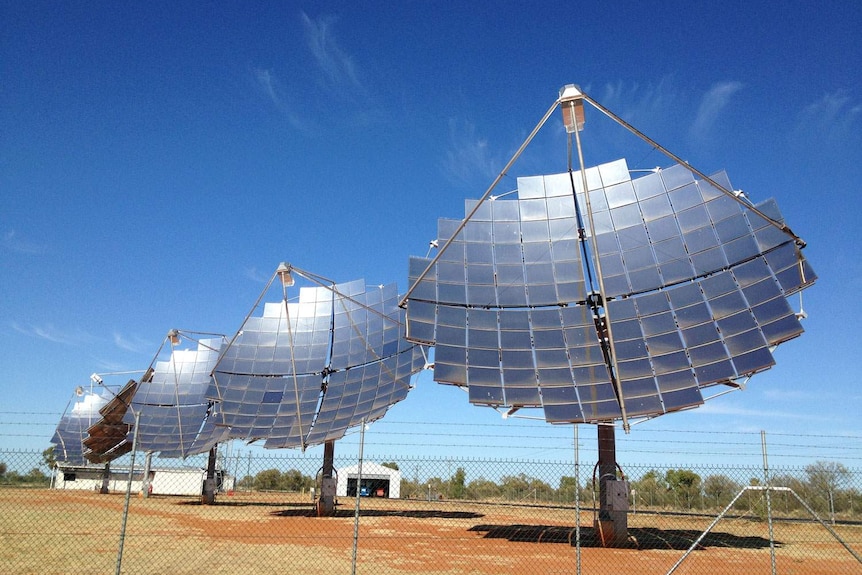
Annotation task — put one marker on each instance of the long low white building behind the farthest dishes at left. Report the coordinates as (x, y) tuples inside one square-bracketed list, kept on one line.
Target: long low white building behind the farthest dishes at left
[(163, 481)]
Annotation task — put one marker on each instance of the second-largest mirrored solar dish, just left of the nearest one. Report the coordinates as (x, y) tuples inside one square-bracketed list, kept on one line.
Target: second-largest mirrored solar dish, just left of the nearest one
[(303, 372)]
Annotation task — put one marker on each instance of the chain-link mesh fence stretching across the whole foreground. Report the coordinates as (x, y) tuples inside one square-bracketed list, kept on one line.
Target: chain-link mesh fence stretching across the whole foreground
[(404, 514)]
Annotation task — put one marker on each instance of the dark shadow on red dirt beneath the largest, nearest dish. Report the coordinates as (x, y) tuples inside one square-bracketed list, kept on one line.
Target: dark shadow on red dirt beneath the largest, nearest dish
[(639, 537)]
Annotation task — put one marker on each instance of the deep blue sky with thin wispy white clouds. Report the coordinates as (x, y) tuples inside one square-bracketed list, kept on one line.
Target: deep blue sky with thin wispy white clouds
[(157, 163)]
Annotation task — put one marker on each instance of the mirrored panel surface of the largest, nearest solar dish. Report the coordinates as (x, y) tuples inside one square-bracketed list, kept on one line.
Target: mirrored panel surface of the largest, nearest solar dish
[(695, 288)]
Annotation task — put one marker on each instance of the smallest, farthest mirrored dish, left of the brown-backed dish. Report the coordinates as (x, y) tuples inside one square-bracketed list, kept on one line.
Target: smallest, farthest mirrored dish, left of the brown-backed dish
[(68, 439)]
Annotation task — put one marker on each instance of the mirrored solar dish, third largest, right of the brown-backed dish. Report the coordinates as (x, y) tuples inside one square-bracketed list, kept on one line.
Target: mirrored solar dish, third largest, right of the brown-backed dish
[(174, 416)]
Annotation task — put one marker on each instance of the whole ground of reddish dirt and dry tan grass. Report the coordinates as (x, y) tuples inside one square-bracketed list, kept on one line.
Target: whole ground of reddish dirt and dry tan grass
[(53, 532)]
